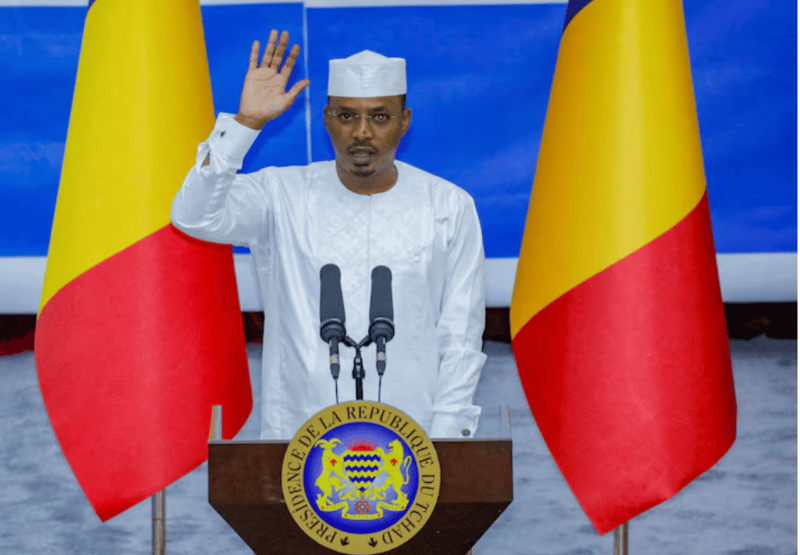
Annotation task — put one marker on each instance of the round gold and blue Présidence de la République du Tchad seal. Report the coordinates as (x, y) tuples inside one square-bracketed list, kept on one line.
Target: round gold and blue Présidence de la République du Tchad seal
[(360, 477)]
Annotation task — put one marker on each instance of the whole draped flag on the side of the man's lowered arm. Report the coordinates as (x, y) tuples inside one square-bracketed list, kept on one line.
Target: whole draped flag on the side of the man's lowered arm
[(617, 319)]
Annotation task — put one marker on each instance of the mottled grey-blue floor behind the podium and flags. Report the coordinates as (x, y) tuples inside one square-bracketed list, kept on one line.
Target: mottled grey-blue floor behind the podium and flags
[(745, 505)]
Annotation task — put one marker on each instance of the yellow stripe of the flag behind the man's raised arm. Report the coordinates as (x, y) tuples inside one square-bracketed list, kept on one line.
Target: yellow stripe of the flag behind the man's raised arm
[(117, 183)]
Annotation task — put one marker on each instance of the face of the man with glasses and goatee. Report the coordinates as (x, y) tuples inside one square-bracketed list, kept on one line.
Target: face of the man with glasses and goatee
[(365, 147)]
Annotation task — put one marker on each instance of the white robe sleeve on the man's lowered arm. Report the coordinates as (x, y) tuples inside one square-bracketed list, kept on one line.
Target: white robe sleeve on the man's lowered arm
[(459, 330)]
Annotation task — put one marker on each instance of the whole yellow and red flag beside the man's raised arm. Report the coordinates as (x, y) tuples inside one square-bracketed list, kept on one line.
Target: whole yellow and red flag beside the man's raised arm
[(139, 331)]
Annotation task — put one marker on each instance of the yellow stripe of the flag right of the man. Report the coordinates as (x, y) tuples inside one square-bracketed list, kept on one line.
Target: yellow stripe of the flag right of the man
[(616, 168)]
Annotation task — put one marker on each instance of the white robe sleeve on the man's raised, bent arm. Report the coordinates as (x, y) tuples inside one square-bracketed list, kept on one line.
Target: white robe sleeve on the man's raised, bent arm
[(215, 203)]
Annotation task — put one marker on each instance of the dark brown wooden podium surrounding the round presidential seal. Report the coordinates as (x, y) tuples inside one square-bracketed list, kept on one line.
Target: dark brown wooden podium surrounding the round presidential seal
[(244, 487)]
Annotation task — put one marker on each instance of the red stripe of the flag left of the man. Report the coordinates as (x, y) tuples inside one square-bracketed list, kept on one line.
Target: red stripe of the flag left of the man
[(132, 355)]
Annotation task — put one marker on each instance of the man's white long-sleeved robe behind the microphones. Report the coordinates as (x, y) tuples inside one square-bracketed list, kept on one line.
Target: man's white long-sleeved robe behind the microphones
[(297, 219)]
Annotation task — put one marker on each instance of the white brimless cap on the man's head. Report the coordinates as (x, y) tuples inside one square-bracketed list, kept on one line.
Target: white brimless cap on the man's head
[(366, 75)]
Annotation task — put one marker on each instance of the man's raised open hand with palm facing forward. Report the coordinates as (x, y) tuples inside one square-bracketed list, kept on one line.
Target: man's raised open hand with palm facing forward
[(264, 95)]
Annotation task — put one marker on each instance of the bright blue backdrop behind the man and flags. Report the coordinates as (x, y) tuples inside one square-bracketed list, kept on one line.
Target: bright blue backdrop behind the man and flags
[(479, 80)]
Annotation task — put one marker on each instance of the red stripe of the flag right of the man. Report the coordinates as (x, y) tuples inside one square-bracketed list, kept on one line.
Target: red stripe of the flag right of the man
[(629, 377)]
